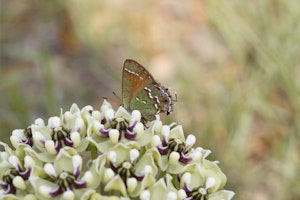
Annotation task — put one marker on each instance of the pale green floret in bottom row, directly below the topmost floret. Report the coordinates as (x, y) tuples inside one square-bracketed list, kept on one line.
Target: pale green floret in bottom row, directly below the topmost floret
[(128, 171)]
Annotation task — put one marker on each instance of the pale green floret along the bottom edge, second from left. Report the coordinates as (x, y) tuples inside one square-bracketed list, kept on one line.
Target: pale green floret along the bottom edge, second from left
[(64, 177)]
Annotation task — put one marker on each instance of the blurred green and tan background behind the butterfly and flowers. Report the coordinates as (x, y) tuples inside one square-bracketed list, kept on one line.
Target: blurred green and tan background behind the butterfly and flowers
[(235, 66)]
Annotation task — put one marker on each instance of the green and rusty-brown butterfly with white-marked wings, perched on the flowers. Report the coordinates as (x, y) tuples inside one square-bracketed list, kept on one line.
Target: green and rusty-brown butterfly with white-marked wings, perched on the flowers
[(141, 92)]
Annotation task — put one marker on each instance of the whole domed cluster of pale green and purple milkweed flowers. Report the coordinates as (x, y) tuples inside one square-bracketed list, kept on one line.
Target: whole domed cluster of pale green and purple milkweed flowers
[(109, 155)]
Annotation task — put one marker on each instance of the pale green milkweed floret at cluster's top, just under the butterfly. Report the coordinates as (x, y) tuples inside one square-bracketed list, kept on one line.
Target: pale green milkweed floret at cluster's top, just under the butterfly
[(117, 127)]
